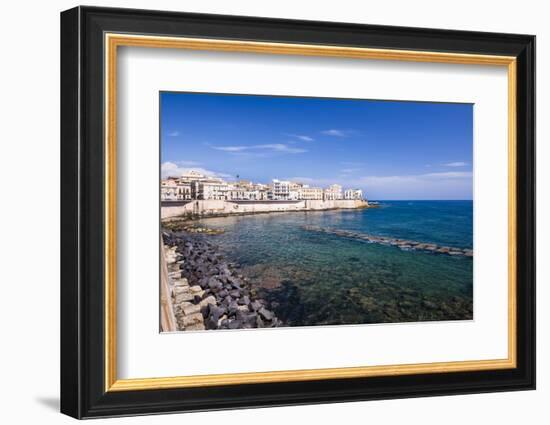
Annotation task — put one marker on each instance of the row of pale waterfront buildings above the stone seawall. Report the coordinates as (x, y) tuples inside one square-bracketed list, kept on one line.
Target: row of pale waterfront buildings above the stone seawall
[(194, 185)]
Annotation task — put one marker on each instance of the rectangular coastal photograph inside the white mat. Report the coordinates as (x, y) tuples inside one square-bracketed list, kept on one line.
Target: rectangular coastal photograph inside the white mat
[(298, 211)]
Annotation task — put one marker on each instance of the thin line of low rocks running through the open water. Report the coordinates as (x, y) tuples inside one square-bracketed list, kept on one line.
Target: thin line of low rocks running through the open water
[(403, 244)]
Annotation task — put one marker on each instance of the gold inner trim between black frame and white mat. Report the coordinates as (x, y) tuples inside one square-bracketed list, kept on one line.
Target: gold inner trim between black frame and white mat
[(113, 41)]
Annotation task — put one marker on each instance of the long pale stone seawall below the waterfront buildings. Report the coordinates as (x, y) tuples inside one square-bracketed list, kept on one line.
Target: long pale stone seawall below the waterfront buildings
[(213, 207)]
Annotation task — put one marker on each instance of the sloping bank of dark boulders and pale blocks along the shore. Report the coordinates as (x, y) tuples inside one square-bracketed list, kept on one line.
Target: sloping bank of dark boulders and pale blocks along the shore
[(207, 291)]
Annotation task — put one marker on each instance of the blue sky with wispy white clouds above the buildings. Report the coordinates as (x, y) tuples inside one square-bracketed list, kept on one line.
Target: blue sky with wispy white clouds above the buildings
[(391, 150)]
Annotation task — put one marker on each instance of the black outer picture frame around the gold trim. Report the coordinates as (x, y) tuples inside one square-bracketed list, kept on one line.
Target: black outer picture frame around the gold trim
[(83, 392)]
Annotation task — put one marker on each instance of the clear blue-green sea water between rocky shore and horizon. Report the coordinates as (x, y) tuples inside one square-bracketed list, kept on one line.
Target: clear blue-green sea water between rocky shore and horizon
[(313, 278)]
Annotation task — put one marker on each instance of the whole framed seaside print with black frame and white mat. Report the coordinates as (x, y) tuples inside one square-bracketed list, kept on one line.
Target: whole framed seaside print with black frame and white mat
[(261, 212)]
